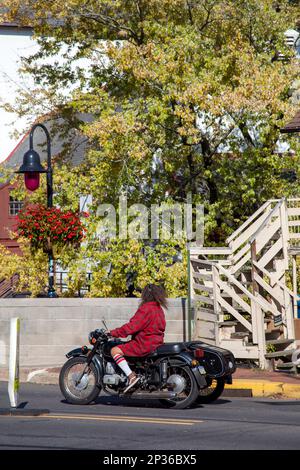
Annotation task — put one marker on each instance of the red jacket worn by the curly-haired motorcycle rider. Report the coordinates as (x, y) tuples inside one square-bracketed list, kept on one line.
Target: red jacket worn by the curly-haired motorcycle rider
[(147, 328)]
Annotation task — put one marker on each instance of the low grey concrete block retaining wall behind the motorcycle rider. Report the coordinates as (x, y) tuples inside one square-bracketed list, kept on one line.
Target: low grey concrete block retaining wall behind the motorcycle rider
[(52, 327)]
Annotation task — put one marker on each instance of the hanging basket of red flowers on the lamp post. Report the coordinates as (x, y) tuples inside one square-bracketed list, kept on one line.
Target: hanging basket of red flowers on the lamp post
[(45, 227)]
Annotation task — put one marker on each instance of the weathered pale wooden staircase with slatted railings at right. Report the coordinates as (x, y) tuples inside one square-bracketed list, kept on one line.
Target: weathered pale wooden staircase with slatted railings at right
[(239, 293)]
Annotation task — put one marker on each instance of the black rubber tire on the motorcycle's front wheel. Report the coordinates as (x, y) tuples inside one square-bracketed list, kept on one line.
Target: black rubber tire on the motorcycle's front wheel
[(89, 395)]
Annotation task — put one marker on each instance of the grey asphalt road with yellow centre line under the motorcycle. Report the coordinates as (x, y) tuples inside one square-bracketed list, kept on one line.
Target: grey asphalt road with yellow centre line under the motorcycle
[(111, 423)]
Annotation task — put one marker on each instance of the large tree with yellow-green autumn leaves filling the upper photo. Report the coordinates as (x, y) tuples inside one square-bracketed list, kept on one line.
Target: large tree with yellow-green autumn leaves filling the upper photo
[(186, 97)]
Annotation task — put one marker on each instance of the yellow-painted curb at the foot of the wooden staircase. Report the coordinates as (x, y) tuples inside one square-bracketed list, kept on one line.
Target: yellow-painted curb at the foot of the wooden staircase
[(266, 388)]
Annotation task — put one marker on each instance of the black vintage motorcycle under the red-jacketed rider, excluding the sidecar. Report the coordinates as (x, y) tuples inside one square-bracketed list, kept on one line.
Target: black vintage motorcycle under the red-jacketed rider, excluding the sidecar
[(172, 373)]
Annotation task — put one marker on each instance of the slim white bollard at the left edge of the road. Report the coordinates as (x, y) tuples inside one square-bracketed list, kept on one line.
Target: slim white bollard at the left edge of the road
[(13, 381)]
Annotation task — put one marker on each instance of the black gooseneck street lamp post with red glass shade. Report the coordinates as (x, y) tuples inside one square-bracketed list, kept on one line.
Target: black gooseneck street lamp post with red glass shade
[(31, 168)]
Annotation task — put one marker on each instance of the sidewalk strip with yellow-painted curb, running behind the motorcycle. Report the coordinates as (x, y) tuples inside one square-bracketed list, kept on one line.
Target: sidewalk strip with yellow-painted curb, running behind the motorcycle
[(246, 382)]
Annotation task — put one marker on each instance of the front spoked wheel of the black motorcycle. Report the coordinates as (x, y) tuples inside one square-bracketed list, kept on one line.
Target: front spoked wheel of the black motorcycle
[(76, 391)]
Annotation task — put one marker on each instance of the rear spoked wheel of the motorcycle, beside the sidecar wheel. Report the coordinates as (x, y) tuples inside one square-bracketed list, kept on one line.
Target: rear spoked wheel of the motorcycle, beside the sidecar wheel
[(182, 381)]
